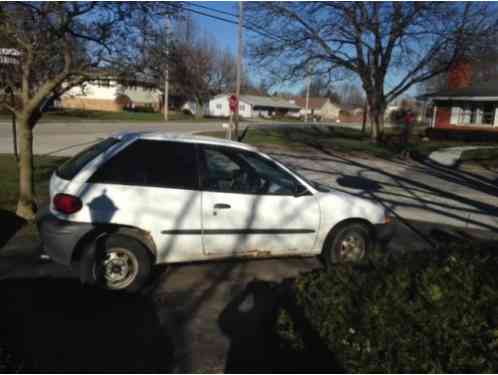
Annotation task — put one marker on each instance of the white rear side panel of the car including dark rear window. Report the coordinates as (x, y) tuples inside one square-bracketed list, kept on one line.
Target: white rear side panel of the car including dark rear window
[(152, 185)]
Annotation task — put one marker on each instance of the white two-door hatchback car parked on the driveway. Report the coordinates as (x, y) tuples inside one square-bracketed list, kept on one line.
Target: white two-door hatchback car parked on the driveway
[(138, 199)]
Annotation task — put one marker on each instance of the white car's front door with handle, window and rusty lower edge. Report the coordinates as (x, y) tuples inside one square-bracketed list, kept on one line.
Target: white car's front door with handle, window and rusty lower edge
[(250, 206)]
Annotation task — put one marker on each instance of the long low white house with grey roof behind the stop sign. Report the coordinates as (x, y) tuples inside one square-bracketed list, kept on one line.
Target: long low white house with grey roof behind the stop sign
[(251, 106)]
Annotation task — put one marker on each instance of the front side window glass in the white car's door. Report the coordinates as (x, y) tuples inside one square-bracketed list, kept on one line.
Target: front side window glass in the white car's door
[(237, 171)]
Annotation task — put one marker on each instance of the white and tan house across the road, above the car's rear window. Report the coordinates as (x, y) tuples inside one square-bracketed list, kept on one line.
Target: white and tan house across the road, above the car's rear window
[(110, 95)]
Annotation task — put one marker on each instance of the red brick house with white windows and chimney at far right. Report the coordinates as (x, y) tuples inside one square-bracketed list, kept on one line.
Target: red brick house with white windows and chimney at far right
[(464, 104)]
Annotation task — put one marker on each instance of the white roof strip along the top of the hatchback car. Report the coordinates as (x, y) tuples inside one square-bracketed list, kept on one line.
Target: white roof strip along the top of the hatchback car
[(180, 137)]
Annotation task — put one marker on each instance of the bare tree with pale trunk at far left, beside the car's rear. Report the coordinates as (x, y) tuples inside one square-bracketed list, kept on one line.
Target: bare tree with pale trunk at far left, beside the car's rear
[(59, 45)]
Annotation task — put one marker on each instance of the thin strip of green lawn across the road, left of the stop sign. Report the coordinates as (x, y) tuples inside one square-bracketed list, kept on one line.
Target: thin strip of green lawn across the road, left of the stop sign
[(75, 115)]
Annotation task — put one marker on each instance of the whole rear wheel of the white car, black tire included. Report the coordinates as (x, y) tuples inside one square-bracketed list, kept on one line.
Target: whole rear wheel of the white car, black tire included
[(117, 262)]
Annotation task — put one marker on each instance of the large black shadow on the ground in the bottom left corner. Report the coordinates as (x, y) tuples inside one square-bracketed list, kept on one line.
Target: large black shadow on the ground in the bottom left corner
[(59, 325)]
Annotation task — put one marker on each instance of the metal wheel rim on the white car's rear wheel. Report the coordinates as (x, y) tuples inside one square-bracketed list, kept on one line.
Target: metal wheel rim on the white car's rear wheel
[(119, 267)]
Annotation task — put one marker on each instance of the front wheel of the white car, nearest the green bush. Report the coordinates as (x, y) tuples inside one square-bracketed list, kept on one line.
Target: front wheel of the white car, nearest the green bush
[(339, 246)]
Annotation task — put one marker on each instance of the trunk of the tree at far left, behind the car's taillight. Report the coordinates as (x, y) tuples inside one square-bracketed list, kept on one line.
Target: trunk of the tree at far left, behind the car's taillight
[(26, 206)]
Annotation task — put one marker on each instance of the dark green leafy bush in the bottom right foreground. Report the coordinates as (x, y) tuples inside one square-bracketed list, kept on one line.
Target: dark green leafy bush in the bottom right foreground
[(421, 312)]
